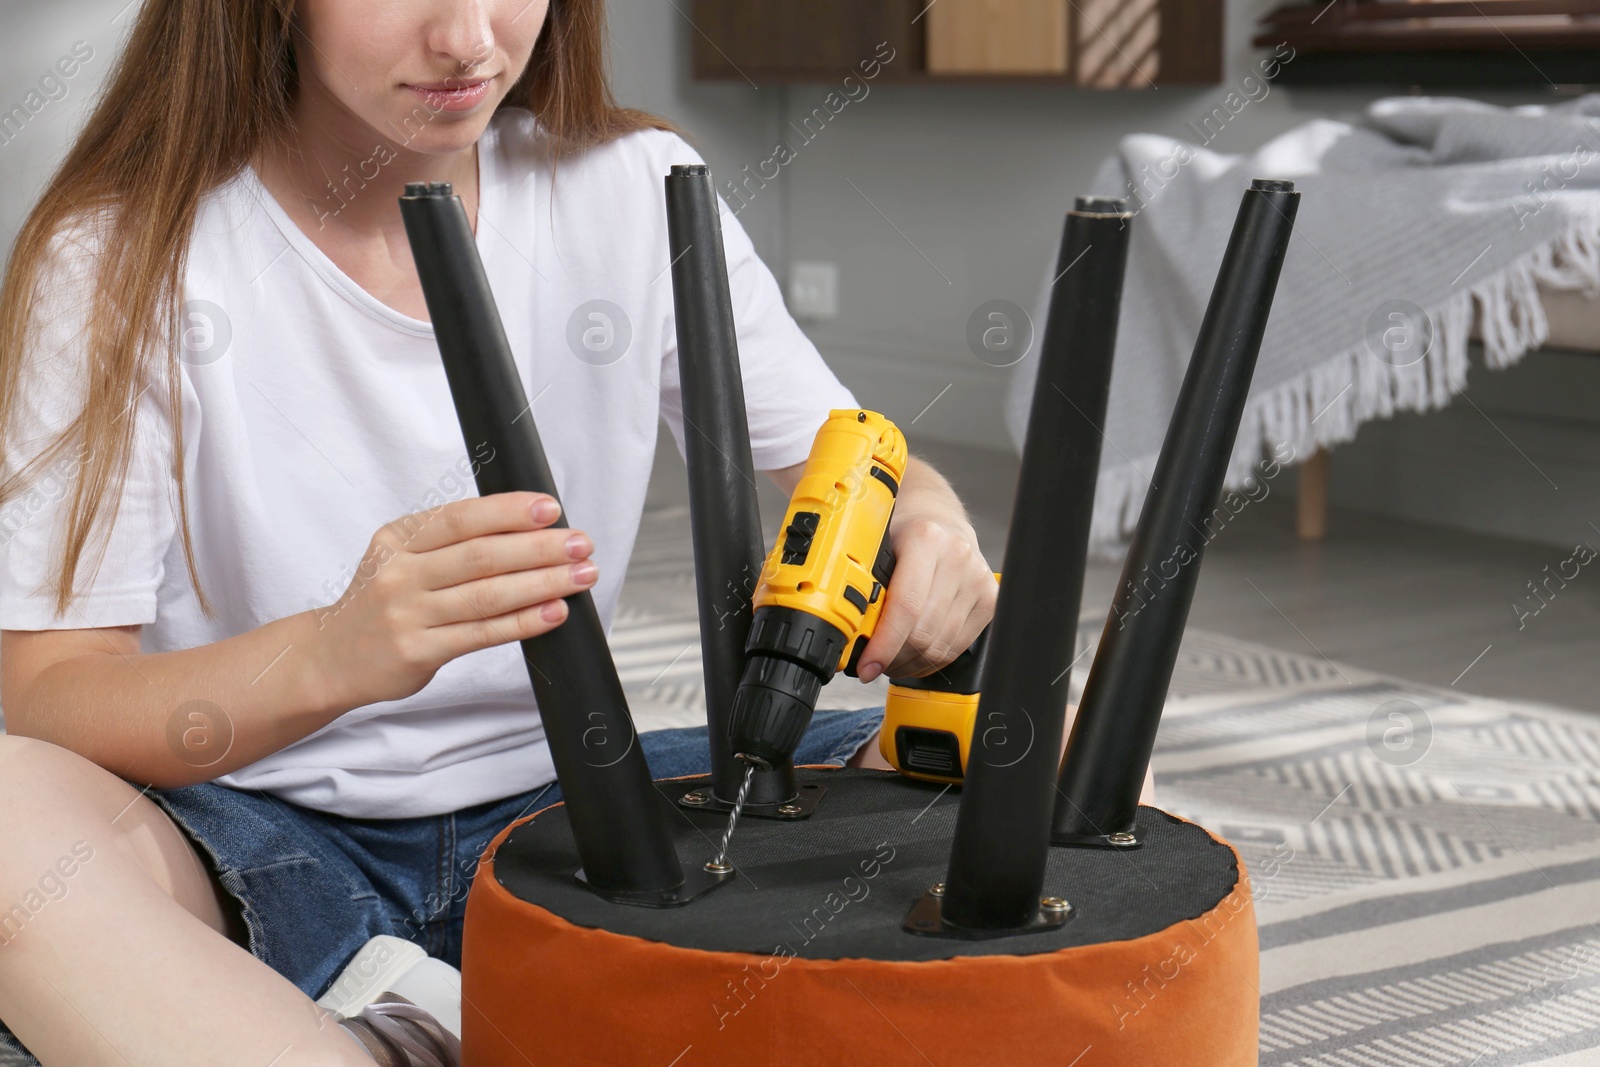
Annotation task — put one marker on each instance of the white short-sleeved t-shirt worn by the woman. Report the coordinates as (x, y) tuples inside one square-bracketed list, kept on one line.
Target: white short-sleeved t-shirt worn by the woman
[(314, 415)]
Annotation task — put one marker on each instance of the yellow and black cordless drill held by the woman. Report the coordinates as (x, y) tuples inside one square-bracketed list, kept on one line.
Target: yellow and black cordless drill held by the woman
[(820, 599)]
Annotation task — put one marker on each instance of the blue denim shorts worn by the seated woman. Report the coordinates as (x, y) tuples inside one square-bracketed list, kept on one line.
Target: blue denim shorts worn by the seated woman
[(311, 889)]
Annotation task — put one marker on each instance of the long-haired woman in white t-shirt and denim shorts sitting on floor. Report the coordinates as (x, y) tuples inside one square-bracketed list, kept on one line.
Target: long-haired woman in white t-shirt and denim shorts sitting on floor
[(284, 708)]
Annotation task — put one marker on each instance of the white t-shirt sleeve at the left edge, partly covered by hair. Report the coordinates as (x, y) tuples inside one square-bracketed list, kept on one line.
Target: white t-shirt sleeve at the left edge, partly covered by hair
[(50, 396)]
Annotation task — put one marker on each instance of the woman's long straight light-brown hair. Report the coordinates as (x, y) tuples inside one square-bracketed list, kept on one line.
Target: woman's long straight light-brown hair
[(199, 89)]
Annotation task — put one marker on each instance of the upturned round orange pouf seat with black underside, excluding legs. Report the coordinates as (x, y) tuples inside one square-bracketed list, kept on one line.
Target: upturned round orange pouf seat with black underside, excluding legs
[(802, 959)]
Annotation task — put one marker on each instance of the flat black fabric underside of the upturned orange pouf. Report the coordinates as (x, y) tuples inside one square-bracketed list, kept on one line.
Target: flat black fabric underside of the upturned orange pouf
[(841, 884)]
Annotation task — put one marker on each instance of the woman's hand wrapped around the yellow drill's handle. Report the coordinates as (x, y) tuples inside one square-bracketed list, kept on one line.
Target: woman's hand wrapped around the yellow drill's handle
[(940, 597)]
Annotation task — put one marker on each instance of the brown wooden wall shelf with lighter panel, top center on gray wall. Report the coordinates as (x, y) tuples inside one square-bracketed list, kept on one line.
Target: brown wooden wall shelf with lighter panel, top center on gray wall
[(1089, 44)]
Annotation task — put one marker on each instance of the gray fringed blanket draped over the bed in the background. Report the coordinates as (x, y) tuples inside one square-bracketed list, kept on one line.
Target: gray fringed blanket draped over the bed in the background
[(1418, 220)]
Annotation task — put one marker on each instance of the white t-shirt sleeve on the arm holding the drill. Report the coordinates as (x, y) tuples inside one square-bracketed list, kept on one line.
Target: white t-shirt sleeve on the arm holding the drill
[(788, 388)]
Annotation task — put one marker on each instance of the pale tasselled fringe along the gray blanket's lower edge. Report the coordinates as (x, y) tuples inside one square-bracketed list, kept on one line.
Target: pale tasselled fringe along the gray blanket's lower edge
[(1326, 406)]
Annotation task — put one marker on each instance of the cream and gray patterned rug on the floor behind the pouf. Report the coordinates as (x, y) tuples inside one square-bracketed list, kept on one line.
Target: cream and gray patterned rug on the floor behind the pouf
[(1426, 863)]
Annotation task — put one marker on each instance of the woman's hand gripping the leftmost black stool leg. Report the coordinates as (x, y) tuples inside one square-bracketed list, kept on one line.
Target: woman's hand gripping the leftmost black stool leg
[(438, 585)]
